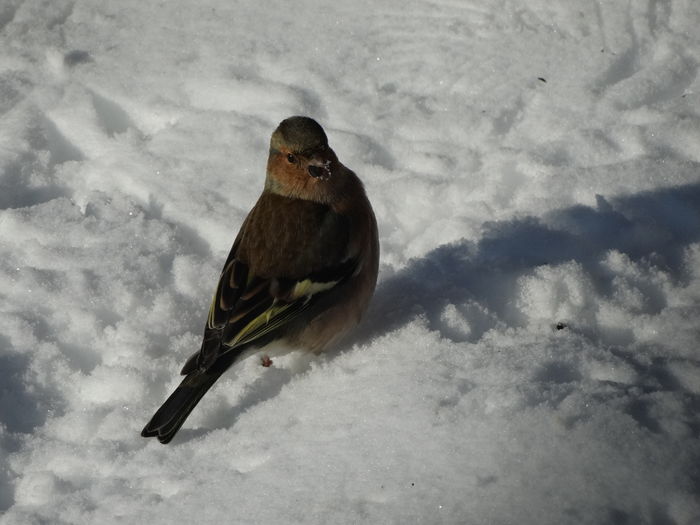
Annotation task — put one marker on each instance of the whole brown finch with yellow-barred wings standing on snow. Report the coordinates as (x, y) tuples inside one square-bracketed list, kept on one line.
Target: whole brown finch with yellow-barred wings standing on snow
[(300, 274)]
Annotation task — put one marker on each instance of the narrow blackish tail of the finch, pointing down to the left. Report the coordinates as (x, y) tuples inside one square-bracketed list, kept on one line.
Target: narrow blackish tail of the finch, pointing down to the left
[(172, 414)]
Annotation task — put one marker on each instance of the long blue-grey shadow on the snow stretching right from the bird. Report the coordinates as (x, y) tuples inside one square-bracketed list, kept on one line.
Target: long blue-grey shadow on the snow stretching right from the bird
[(656, 225)]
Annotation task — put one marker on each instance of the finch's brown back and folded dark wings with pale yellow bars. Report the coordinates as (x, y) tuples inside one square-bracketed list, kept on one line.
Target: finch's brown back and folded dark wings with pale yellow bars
[(248, 304)]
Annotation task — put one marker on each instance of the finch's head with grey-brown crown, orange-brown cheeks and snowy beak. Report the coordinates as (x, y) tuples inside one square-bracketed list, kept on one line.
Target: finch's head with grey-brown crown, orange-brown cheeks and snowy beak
[(301, 164)]
